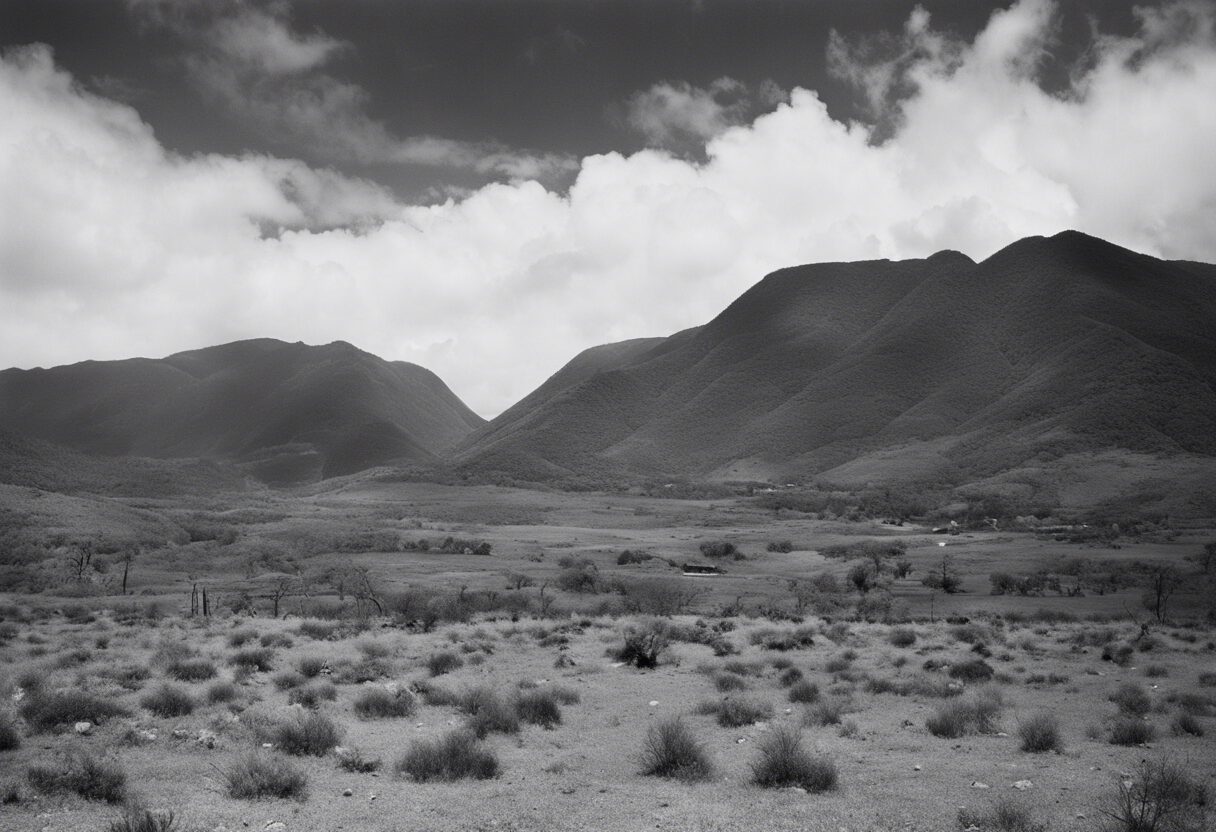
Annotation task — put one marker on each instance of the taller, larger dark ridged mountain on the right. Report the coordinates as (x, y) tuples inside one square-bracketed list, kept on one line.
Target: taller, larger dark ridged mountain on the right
[(939, 369)]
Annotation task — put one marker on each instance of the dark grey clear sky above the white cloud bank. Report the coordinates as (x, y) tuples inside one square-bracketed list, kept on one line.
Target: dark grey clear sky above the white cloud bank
[(551, 76)]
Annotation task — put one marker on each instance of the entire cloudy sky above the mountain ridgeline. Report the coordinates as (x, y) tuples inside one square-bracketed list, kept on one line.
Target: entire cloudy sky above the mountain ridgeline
[(486, 188)]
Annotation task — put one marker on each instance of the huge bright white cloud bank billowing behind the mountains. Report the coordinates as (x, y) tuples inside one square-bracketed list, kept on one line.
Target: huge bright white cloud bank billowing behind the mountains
[(114, 246)]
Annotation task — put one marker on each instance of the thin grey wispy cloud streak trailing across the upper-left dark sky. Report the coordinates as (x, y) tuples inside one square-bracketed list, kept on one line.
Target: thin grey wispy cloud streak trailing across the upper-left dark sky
[(254, 63)]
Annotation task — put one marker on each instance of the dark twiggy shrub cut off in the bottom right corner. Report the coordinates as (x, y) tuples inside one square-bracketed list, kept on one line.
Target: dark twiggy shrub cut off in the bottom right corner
[(1161, 799)]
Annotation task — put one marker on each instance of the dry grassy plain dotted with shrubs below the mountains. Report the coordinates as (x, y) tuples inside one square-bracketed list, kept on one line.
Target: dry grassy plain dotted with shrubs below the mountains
[(393, 647)]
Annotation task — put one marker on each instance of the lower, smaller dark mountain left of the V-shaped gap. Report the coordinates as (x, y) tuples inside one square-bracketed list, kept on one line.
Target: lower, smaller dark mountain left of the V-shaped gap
[(284, 412)]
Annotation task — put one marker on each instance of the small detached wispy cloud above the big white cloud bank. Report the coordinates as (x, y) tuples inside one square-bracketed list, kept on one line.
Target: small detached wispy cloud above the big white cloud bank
[(678, 115)]
